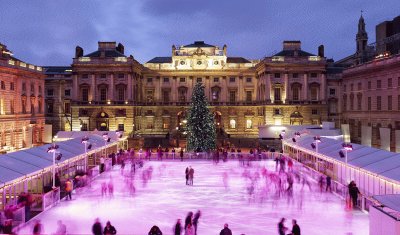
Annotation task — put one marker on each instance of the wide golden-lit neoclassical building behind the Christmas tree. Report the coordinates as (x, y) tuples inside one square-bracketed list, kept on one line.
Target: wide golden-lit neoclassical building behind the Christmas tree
[(107, 90)]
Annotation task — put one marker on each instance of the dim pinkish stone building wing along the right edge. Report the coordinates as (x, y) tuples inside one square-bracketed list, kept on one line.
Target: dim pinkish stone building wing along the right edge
[(371, 99)]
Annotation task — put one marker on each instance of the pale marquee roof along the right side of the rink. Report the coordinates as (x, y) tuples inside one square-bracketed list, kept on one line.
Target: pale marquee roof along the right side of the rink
[(376, 161)]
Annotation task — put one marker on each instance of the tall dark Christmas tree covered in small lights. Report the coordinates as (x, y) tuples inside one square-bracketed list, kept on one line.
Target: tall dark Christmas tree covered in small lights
[(200, 125)]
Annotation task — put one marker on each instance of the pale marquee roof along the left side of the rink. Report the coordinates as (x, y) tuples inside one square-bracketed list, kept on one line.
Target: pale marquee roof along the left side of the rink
[(33, 161)]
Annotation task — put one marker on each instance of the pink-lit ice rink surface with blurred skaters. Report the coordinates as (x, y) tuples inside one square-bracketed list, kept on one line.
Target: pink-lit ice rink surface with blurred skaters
[(166, 198)]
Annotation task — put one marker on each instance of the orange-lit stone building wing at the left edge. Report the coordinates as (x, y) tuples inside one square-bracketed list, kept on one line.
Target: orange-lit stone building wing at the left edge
[(21, 102)]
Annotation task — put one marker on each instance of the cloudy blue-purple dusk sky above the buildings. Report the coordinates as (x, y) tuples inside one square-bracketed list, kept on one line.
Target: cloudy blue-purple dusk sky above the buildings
[(47, 32)]
